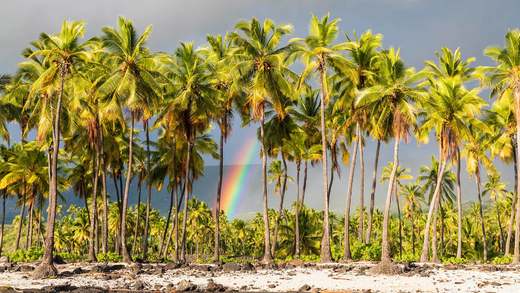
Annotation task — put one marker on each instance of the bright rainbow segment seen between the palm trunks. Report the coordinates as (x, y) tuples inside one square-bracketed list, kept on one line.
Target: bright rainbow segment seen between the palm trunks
[(236, 179)]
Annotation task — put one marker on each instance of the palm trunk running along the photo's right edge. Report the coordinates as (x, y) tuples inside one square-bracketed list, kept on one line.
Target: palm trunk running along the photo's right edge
[(516, 256)]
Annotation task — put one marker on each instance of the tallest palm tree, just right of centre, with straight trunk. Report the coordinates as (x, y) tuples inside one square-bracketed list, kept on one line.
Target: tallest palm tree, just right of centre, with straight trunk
[(319, 55)]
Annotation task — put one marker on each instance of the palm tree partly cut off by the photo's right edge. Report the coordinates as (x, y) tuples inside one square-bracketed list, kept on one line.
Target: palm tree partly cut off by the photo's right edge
[(505, 79)]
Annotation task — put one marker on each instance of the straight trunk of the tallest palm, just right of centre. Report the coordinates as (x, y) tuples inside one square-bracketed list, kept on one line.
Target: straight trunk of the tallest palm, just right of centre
[(325, 253)]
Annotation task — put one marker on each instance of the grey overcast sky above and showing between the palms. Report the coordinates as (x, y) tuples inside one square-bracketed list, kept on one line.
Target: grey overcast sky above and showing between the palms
[(418, 27)]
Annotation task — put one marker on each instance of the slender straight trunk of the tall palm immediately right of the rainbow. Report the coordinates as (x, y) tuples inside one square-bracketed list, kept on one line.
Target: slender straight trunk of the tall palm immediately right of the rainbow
[(267, 241)]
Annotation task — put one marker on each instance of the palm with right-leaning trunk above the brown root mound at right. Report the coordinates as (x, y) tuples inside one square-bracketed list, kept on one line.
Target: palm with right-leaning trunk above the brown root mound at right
[(395, 92)]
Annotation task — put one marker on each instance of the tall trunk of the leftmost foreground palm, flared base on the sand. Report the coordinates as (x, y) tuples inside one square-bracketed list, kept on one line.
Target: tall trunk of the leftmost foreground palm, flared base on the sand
[(46, 267)]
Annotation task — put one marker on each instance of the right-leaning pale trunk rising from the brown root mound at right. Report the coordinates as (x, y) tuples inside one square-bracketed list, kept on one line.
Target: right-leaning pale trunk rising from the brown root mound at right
[(385, 246)]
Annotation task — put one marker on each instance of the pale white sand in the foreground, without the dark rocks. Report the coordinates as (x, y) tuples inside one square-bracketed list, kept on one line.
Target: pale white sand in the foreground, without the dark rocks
[(440, 280)]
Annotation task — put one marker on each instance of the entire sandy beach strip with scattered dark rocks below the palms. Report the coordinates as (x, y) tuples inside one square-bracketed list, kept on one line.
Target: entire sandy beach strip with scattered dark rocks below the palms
[(354, 277)]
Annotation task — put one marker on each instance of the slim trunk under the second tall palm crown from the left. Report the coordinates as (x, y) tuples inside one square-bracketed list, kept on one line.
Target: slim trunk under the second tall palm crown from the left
[(126, 254)]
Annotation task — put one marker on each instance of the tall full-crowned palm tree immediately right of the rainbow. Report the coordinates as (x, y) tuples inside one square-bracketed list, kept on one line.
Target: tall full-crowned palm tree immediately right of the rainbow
[(264, 72)]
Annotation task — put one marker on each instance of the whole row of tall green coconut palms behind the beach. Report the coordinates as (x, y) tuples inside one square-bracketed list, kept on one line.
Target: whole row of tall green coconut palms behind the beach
[(85, 101)]
